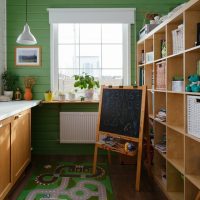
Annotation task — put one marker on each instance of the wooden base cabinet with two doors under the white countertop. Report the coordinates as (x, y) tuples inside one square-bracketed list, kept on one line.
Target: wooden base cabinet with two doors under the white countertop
[(15, 149)]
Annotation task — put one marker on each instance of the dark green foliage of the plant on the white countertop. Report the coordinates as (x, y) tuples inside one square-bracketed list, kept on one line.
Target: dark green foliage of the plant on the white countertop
[(9, 80)]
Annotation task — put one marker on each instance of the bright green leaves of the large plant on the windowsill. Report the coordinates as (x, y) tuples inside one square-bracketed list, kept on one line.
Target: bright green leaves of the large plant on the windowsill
[(85, 81)]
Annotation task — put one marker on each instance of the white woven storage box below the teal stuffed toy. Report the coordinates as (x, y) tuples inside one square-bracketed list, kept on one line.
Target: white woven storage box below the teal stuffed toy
[(193, 113)]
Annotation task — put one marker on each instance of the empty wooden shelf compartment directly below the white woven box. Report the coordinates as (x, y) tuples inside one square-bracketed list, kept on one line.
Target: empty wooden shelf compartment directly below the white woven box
[(192, 161)]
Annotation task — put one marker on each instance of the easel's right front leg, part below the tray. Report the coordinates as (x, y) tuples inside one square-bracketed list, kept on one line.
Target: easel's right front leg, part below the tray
[(138, 171)]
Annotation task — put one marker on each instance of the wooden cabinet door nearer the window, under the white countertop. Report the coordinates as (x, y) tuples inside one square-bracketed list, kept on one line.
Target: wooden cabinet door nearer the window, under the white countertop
[(21, 143)]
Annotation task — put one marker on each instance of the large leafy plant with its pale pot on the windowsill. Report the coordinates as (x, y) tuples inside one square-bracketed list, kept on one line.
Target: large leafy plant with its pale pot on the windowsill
[(87, 82)]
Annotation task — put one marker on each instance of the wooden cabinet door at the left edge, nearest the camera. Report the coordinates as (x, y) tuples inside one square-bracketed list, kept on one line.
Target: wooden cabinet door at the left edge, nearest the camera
[(5, 158)]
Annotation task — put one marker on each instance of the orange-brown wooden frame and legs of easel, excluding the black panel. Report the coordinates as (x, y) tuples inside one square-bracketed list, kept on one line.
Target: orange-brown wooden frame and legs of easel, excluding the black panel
[(138, 140)]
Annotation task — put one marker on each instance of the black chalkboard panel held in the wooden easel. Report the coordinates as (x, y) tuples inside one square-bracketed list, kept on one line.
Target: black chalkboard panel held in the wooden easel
[(120, 111)]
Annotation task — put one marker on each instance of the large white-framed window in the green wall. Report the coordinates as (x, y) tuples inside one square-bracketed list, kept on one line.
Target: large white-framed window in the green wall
[(99, 49)]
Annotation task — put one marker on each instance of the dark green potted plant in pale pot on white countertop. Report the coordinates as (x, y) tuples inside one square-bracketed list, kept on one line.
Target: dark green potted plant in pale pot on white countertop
[(9, 80)]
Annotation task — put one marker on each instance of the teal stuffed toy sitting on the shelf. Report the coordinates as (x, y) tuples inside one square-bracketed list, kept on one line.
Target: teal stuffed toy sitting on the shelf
[(194, 83)]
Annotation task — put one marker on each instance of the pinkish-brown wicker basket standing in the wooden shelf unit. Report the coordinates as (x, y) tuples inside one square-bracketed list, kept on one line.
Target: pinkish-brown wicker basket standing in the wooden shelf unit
[(160, 78)]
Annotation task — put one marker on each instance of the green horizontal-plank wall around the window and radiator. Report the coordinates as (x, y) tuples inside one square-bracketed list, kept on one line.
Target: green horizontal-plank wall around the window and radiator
[(45, 119)]
